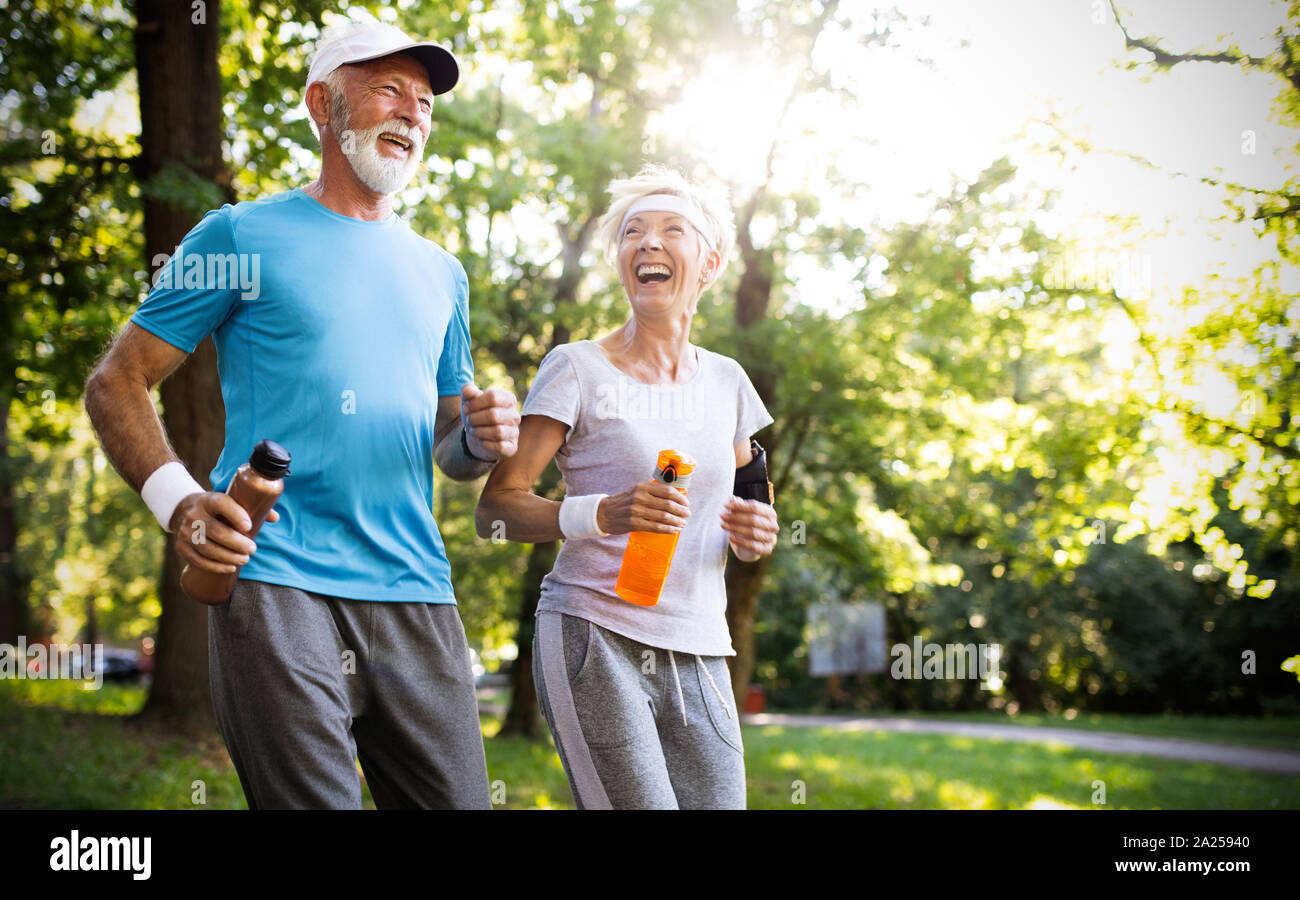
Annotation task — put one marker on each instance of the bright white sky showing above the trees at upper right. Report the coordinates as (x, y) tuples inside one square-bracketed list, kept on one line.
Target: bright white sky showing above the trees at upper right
[(999, 67)]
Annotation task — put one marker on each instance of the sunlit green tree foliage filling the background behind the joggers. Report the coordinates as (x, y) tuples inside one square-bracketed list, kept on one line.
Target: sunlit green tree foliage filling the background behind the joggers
[(957, 443)]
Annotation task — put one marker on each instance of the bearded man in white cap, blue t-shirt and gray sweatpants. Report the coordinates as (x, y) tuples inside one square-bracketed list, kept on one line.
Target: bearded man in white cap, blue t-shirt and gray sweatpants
[(341, 641)]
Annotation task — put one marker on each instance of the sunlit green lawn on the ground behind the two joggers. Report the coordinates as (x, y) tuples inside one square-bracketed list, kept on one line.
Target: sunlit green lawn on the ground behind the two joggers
[(76, 750)]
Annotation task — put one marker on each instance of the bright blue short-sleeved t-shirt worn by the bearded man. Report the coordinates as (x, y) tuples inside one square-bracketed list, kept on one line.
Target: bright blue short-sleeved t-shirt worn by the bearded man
[(335, 339)]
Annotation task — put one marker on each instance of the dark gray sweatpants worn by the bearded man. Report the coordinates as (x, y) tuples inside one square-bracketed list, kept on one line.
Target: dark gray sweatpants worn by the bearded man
[(304, 686)]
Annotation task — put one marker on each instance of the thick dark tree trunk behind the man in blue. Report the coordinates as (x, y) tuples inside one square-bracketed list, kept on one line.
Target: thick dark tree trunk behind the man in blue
[(180, 86)]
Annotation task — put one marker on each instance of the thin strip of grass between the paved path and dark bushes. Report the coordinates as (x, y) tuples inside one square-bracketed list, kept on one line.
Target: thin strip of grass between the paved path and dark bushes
[(1280, 733)]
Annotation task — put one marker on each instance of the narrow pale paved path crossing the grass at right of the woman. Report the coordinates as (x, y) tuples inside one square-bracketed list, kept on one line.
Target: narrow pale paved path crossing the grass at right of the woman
[(1175, 748)]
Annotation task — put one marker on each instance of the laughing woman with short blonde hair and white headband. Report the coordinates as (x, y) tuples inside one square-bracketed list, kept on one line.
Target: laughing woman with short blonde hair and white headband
[(639, 698)]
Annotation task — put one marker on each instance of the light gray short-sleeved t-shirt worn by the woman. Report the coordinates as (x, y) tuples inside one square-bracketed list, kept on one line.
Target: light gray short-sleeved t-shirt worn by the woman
[(618, 427)]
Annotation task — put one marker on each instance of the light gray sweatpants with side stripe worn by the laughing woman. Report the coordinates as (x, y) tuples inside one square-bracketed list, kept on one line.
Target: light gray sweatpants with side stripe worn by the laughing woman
[(614, 709)]
